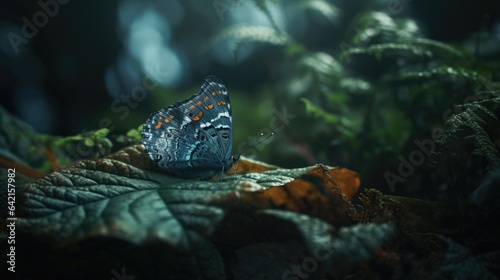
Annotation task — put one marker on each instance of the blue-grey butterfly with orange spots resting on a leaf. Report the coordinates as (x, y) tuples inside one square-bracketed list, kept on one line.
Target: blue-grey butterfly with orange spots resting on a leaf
[(193, 138)]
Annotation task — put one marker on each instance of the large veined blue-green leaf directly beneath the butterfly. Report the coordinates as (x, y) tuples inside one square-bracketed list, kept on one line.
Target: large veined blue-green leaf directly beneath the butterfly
[(124, 196)]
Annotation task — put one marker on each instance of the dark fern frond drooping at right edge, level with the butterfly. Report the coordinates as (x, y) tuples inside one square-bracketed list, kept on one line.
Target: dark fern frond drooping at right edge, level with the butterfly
[(474, 115)]
